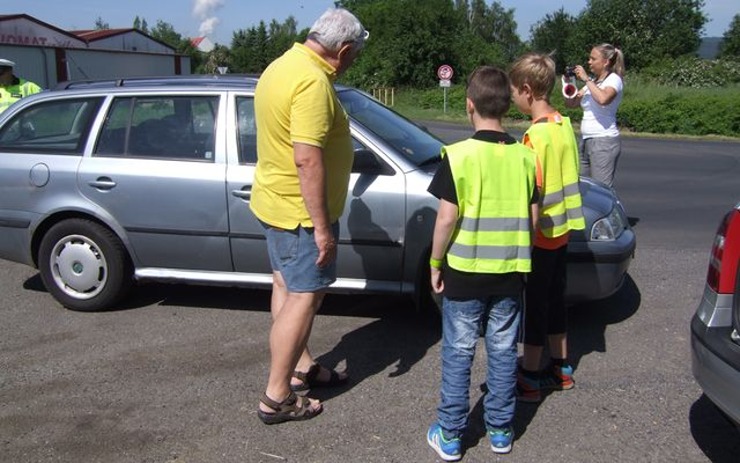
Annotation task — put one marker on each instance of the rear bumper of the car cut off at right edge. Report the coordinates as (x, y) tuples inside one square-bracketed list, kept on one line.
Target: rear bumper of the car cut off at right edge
[(715, 363)]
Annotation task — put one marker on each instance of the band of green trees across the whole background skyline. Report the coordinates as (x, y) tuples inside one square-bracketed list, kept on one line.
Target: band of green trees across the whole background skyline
[(410, 39)]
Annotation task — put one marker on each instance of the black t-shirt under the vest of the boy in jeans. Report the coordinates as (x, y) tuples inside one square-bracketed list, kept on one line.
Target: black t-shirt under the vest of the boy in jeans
[(466, 285)]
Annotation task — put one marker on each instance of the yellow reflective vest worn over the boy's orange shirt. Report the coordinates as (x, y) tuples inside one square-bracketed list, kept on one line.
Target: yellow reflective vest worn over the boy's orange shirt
[(557, 152)]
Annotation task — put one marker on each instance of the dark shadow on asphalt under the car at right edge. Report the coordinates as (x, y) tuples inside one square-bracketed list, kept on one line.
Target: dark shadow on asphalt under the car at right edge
[(713, 432)]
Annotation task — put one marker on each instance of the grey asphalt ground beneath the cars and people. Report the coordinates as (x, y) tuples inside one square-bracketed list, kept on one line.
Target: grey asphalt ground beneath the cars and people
[(175, 376)]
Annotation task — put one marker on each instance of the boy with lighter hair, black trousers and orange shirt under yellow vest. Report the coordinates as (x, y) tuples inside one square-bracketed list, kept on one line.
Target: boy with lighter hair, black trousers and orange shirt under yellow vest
[(545, 316)]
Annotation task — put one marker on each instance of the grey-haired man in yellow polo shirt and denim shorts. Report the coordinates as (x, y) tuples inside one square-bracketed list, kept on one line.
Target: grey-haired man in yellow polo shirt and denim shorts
[(304, 158)]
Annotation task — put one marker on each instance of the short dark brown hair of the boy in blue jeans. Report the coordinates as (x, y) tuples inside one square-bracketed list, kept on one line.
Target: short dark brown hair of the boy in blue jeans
[(490, 91)]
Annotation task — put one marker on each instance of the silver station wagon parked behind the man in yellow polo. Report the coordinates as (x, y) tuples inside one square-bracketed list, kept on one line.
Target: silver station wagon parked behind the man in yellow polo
[(108, 183)]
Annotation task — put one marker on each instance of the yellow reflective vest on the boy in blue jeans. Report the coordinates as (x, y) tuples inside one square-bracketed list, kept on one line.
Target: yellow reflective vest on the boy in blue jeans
[(494, 185)]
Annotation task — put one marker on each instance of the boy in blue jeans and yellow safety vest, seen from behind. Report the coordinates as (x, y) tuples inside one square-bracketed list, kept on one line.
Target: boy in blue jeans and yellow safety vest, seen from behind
[(480, 254)]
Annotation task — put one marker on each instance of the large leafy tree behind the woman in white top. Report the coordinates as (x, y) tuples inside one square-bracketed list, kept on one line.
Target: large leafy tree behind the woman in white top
[(645, 30)]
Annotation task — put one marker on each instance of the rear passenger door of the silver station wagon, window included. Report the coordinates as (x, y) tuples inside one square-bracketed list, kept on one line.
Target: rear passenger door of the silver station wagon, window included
[(158, 171)]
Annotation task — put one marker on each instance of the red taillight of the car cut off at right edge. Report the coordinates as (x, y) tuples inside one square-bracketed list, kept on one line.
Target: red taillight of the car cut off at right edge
[(723, 260)]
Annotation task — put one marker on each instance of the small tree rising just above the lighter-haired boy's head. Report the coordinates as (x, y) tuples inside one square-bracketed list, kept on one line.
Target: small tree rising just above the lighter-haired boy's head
[(554, 34)]
